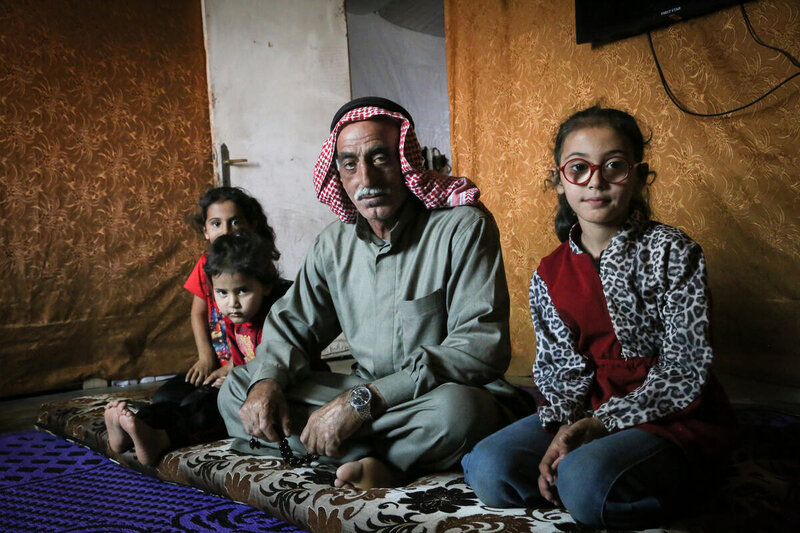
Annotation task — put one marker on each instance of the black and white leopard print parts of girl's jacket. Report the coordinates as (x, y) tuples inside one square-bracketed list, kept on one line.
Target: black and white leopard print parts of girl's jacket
[(654, 280)]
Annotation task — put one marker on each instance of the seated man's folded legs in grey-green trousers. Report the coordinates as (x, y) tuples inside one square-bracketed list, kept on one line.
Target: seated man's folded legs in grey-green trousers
[(429, 433)]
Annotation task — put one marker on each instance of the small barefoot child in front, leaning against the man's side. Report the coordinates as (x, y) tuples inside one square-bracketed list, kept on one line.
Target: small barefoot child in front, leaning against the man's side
[(245, 284)]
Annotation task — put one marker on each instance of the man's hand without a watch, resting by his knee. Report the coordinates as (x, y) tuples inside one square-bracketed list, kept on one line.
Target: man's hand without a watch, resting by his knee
[(265, 405)]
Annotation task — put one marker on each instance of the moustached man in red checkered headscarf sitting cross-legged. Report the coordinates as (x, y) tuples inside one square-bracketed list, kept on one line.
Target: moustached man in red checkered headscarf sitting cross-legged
[(418, 288)]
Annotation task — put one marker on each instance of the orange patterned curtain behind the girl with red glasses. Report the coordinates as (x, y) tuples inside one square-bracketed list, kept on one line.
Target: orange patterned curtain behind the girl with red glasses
[(733, 183)]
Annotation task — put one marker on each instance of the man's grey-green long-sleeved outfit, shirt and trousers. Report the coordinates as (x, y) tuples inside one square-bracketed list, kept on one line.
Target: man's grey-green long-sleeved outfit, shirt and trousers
[(426, 316)]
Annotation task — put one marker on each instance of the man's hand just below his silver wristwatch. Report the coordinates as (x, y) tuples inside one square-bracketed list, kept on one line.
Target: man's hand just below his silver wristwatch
[(330, 425)]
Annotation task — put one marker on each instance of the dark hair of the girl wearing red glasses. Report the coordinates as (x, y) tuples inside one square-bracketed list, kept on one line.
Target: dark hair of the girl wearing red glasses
[(597, 116)]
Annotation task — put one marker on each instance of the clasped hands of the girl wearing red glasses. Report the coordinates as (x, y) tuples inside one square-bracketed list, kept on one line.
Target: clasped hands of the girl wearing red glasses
[(568, 438)]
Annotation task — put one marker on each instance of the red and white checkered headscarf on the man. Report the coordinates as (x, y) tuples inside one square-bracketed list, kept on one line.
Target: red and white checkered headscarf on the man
[(436, 190)]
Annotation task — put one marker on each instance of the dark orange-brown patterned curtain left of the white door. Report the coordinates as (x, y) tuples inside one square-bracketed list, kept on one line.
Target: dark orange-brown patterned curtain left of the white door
[(104, 147)]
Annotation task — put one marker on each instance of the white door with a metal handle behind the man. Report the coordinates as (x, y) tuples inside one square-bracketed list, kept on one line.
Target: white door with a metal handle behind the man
[(277, 71)]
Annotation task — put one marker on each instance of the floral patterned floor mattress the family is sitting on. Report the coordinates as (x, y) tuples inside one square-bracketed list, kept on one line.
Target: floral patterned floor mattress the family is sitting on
[(761, 492)]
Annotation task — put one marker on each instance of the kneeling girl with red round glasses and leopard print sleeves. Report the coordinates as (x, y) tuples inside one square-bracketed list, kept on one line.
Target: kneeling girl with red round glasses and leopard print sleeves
[(633, 417)]
